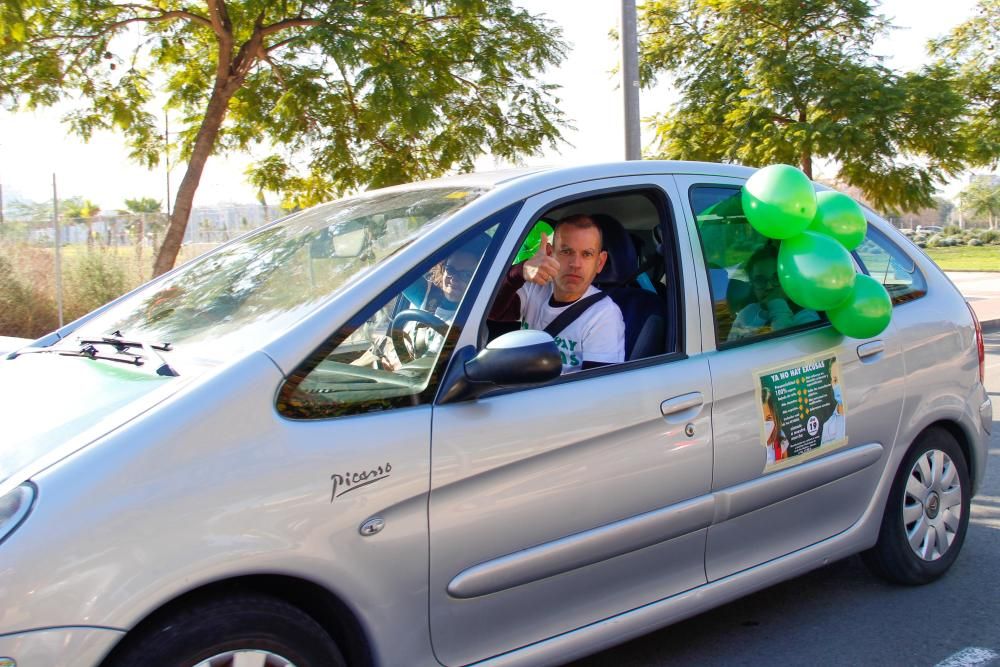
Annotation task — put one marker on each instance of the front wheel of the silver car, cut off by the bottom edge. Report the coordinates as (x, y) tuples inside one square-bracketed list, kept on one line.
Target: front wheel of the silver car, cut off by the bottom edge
[(223, 631)]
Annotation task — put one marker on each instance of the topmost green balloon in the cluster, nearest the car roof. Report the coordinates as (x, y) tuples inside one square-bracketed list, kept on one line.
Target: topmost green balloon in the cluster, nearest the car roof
[(779, 201)]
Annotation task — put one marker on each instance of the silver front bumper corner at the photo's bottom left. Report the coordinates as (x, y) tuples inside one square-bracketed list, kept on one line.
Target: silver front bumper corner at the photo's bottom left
[(53, 647)]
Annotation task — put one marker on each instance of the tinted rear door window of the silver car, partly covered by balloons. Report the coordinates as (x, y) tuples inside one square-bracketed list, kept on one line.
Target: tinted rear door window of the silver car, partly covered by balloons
[(747, 298)]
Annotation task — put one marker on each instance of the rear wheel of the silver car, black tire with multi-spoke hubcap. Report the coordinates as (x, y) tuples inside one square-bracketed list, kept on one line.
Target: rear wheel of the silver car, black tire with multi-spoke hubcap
[(927, 513)]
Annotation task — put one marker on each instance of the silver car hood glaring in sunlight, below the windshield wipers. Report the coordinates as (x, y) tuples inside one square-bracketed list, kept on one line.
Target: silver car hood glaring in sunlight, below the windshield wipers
[(51, 405)]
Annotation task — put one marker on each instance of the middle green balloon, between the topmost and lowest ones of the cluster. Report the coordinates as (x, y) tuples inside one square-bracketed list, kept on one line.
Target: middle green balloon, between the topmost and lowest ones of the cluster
[(815, 271)]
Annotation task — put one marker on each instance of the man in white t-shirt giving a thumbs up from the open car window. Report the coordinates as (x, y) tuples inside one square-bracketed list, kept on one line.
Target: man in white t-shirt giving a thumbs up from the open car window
[(555, 278)]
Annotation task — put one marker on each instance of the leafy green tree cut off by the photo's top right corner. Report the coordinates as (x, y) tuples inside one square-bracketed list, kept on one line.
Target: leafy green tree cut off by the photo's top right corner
[(972, 51)]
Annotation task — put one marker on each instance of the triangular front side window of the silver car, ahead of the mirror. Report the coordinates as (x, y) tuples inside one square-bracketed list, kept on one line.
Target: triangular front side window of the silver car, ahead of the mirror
[(388, 360)]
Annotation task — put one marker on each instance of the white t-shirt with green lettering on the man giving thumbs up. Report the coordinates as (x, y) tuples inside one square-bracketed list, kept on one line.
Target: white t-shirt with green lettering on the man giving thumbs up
[(598, 334)]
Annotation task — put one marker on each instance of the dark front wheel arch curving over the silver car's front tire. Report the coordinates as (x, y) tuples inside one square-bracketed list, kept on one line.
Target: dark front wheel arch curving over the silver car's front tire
[(323, 605)]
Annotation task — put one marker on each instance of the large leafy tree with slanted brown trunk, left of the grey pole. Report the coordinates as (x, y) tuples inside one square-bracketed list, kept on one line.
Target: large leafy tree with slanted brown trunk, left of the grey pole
[(366, 93)]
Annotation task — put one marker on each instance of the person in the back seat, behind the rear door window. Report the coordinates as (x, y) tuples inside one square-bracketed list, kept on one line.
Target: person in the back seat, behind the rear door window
[(771, 309)]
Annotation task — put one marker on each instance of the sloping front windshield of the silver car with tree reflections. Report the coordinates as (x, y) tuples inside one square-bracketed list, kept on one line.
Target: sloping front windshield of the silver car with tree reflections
[(232, 300)]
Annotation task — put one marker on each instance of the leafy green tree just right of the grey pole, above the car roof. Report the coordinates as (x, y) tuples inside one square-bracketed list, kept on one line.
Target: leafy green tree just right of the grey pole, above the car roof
[(792, 81)]
